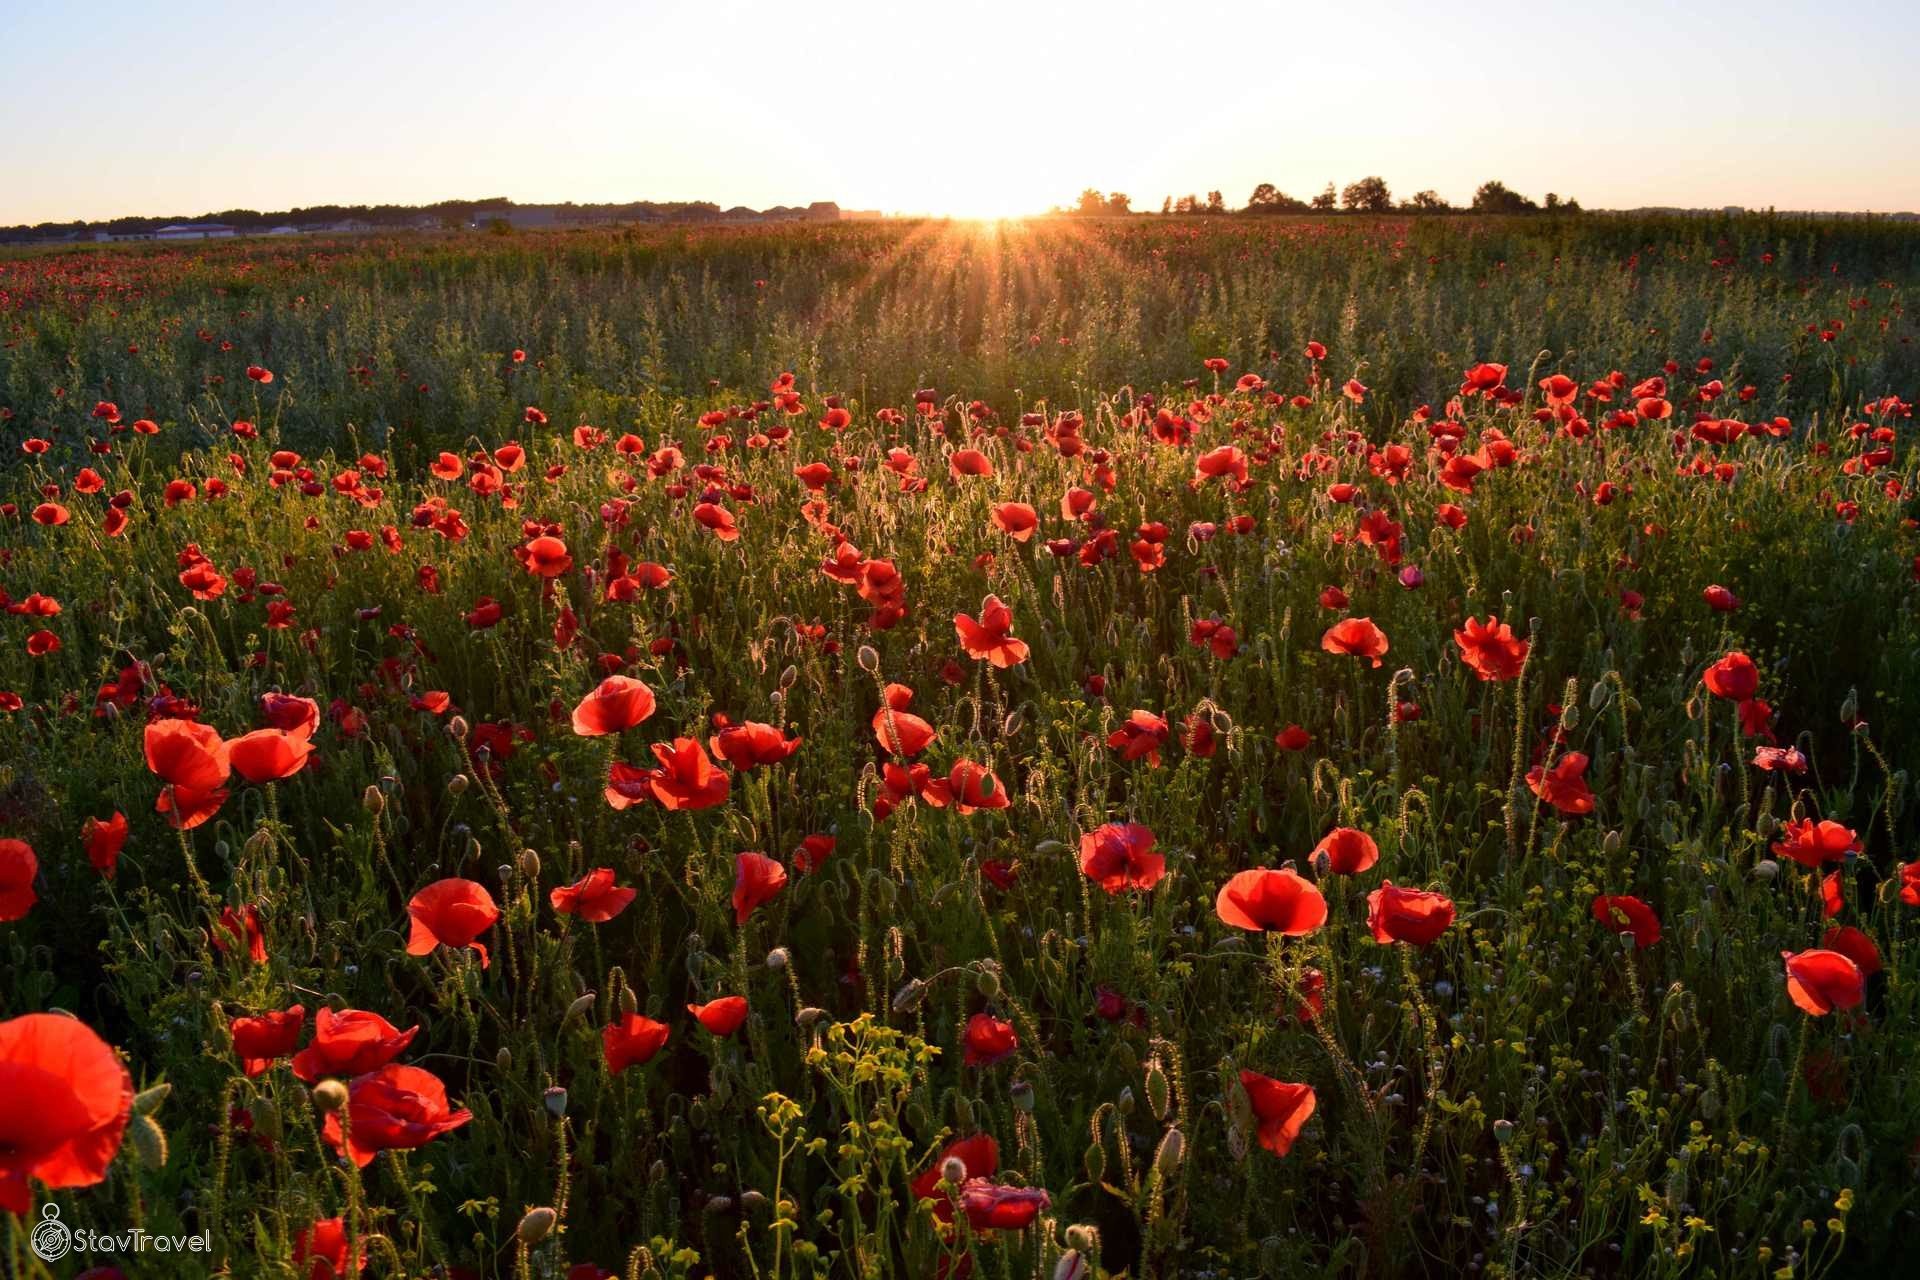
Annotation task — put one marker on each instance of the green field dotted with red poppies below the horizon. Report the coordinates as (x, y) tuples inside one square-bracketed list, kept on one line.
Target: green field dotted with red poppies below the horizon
[(1159, 747)]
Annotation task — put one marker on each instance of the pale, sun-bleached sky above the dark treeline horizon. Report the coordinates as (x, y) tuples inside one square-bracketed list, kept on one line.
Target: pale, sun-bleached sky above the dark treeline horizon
[(978, 108)]
